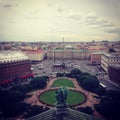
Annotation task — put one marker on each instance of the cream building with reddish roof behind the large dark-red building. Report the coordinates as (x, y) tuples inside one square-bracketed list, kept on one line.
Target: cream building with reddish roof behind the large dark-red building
[(35, 55)]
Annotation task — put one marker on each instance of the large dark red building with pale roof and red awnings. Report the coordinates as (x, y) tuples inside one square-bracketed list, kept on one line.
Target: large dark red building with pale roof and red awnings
[(14, 65)]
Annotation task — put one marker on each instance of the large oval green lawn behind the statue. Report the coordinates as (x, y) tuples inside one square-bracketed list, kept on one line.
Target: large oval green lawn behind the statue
[(73, 98)]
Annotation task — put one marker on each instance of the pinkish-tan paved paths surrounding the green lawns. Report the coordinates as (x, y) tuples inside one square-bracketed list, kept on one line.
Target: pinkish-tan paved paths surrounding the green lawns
[(90, 101)]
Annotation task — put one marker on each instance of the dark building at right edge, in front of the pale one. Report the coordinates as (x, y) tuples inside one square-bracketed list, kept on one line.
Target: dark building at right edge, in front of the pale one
[(114, 74)]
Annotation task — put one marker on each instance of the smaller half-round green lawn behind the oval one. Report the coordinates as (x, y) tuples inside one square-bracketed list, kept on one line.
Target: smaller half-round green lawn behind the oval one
[(63, 82)]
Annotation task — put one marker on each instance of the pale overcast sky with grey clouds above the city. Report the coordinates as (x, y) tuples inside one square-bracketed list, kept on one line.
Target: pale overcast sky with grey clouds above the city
[(50, 20)]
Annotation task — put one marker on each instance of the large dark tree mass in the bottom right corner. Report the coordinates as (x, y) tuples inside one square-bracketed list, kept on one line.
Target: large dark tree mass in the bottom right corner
[(110, 105)]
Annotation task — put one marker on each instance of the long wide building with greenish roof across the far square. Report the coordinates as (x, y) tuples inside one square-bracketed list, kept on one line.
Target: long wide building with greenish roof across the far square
[(68, 54)]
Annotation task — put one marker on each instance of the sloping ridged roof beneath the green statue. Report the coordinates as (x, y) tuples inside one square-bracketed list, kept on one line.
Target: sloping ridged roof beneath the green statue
[(69, 114)]
